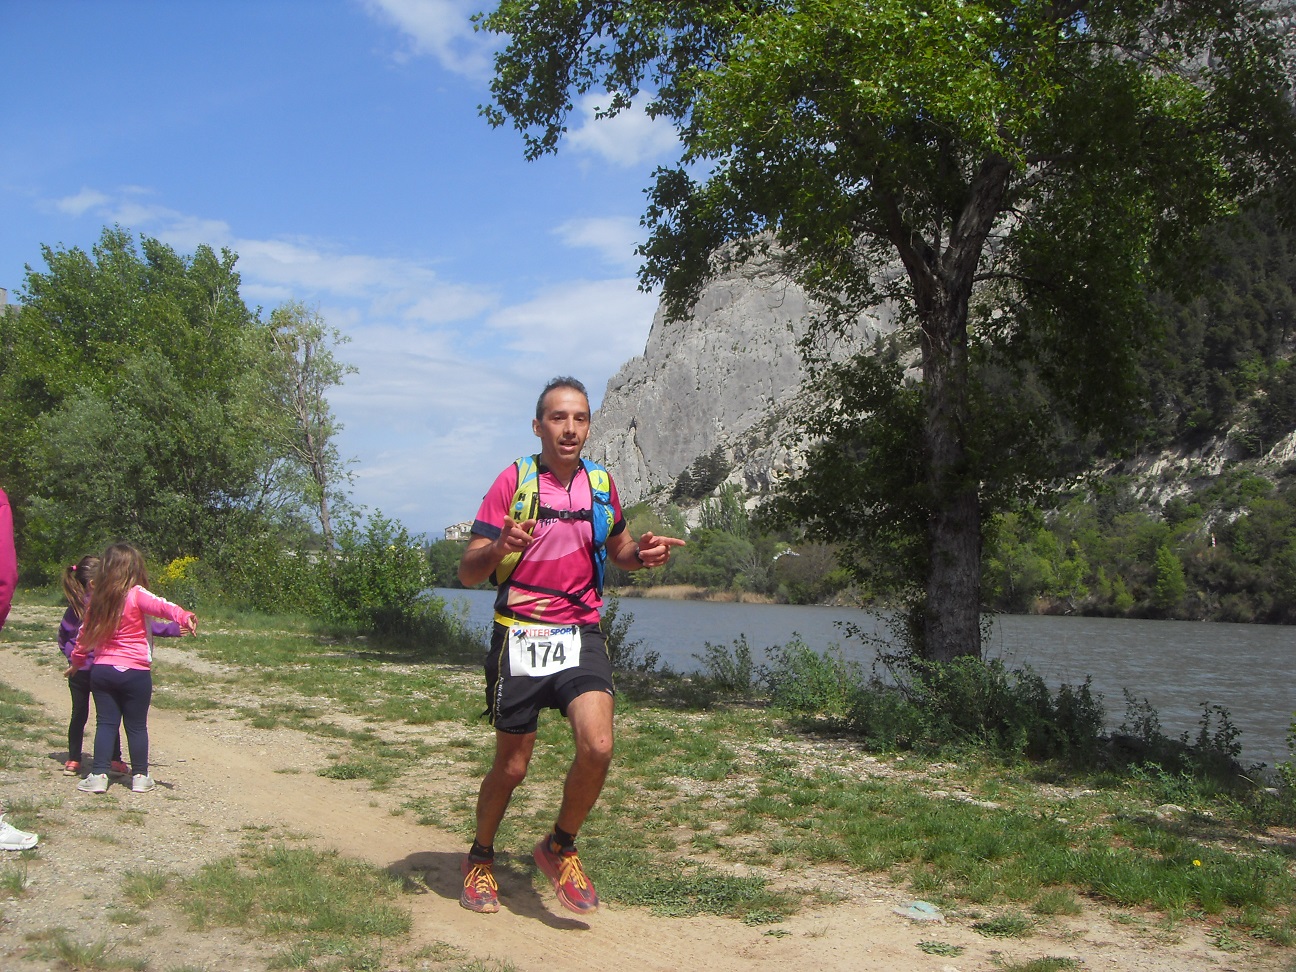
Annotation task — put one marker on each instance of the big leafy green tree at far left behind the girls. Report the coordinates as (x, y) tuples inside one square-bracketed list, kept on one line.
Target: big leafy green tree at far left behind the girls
[(133, 393)]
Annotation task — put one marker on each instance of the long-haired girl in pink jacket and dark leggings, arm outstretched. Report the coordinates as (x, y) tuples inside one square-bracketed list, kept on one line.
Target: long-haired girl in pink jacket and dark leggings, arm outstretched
[(121, 678)]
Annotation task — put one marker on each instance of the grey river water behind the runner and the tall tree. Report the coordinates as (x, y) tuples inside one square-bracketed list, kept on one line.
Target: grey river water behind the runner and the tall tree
[(1176, 665)]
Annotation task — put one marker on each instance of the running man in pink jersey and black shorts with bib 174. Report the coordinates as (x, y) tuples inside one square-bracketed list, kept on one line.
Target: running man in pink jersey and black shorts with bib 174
[(544, 535)]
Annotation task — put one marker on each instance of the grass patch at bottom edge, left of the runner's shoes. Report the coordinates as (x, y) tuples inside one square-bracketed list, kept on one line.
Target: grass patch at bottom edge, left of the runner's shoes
[(322, 904)]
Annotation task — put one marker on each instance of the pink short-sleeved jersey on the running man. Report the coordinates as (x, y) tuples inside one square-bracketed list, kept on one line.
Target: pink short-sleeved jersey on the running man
[(554, 581)]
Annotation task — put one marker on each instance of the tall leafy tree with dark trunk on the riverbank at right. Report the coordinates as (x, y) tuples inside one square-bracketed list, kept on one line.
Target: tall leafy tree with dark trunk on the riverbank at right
[(1018, 177)]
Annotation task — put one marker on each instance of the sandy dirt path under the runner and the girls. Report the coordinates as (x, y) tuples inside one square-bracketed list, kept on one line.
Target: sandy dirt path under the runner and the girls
[(220, 777)]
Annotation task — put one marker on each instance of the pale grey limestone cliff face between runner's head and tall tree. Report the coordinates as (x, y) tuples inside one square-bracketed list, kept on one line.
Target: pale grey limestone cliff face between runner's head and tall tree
[(723, 379)]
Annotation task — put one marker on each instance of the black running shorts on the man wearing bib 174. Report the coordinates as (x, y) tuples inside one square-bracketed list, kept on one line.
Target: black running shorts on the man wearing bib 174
[(514, 703)]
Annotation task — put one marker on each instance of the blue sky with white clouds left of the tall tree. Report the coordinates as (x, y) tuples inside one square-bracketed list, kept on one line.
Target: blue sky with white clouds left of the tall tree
[(336, 147)]
